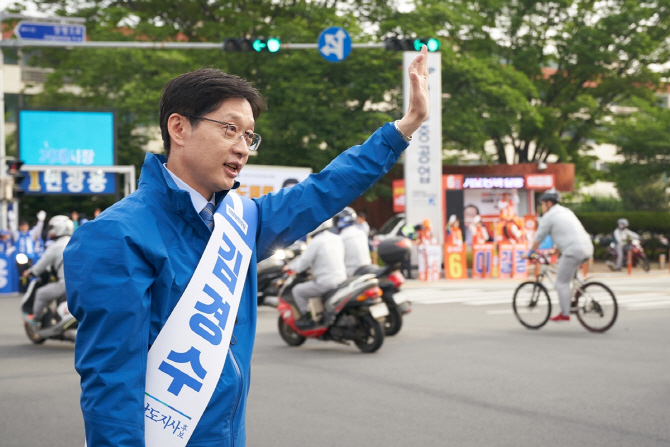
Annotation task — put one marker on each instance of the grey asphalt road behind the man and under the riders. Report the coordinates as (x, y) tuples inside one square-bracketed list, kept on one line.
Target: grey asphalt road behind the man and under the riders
[(461, 372)]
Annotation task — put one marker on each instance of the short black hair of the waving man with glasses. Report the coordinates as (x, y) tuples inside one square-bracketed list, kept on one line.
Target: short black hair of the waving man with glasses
[(201, 92)]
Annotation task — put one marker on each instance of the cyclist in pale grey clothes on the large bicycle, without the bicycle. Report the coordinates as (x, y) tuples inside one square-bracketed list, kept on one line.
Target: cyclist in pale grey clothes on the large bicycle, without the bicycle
[(570, 238)]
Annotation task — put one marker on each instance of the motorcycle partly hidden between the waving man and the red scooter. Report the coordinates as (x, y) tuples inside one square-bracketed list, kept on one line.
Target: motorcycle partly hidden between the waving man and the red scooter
[(270, 274)]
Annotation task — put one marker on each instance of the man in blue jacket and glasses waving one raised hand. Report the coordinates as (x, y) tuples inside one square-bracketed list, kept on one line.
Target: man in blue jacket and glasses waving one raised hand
[(126, 271)]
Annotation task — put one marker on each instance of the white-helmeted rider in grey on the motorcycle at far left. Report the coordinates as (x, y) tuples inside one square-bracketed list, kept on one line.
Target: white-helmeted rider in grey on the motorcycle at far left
[(60, 229)]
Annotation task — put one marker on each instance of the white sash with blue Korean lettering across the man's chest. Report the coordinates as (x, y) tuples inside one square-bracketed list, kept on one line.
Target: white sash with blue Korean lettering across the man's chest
[(186, 360)]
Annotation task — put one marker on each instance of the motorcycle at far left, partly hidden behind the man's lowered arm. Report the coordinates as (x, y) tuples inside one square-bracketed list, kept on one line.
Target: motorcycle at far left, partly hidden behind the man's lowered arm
[(57, 323)]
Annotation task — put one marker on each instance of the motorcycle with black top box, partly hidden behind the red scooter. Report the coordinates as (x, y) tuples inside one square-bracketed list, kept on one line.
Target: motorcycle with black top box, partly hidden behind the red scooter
[(392, 252)]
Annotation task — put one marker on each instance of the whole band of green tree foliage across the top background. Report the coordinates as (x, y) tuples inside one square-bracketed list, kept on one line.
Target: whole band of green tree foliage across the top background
[(524, 80)]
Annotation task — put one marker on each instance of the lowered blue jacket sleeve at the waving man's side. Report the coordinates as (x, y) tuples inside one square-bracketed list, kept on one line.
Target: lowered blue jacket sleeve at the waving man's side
[(108, 279)]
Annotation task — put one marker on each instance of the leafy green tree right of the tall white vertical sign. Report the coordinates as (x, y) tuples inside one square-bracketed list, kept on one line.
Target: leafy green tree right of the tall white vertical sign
[(539, 76)]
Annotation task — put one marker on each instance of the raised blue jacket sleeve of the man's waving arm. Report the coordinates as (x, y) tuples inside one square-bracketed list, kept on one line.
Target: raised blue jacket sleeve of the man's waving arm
[(290, 213)]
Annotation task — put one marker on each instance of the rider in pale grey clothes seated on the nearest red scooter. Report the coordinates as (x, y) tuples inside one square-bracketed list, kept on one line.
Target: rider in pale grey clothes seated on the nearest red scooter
[(324, 255)]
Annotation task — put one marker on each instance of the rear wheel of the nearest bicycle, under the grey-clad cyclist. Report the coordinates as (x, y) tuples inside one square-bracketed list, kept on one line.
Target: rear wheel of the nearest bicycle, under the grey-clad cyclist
[(596, 306)]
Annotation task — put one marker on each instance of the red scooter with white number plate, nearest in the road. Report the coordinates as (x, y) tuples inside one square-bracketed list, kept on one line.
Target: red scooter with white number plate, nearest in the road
[(351, 312)]
